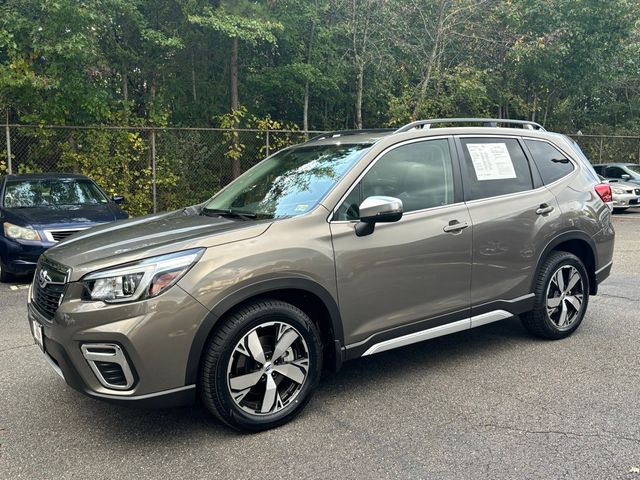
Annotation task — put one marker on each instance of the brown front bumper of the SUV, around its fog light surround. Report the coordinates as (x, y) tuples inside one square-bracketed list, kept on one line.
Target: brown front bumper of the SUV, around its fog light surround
[(155, 335)]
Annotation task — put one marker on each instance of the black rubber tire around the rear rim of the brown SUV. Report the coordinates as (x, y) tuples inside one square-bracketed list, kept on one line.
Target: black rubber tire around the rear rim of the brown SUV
[(549, 325)]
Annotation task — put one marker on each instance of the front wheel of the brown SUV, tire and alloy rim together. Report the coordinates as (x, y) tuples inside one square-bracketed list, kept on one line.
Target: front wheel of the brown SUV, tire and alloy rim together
[(261, 366)]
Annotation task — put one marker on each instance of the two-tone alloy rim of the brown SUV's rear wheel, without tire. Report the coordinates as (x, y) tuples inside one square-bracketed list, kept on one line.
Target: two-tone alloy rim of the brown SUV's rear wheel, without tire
[(565, 295)]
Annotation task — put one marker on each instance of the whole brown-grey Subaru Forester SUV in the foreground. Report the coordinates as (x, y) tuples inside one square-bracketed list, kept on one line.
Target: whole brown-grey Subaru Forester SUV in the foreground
[(344, 246)]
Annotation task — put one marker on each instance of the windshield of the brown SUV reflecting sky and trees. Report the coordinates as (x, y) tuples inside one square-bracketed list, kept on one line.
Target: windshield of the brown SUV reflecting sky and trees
[(291, 182)]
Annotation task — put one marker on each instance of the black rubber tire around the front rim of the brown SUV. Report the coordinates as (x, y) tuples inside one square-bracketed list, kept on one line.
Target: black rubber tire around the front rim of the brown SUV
[(221, 355)]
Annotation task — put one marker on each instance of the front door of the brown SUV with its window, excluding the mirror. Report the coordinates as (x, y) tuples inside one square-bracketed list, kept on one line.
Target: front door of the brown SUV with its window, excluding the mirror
[(417, 269)]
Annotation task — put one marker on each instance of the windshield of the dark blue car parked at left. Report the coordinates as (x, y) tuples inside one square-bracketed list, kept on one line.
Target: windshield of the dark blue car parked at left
[(51, 192)]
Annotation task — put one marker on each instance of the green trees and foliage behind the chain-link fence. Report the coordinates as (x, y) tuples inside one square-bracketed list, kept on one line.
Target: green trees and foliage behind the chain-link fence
[(322, 64)]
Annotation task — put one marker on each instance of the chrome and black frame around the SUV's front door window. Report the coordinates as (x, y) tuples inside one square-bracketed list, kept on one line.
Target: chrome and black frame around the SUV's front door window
[(458, 193)]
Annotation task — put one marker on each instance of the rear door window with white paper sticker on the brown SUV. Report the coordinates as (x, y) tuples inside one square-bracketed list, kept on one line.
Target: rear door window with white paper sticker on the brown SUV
[(493, 167)]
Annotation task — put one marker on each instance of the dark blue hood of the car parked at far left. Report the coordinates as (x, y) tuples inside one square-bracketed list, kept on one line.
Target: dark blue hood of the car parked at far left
[(46, 217)]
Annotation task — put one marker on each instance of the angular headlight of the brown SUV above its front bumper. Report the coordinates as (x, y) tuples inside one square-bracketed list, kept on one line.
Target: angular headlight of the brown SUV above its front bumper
[(137, 281)]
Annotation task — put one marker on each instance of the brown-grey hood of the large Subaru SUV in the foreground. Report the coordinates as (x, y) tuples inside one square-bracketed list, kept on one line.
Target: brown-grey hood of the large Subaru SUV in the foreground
[(143, 237)]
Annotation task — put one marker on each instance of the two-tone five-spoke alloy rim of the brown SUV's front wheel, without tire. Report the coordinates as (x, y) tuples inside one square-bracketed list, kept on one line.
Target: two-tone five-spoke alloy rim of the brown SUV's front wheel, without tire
[(268, 368)]
